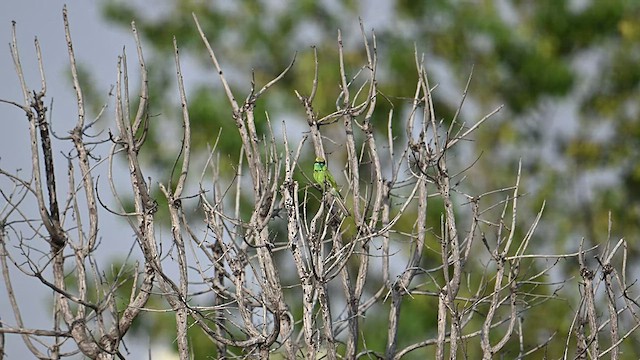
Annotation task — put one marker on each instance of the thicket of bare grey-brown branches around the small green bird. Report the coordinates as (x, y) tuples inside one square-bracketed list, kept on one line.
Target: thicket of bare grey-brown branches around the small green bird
[(241, 281)]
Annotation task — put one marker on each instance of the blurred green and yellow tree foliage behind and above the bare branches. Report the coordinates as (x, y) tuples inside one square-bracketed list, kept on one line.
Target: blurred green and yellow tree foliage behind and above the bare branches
[(568, 73)]
